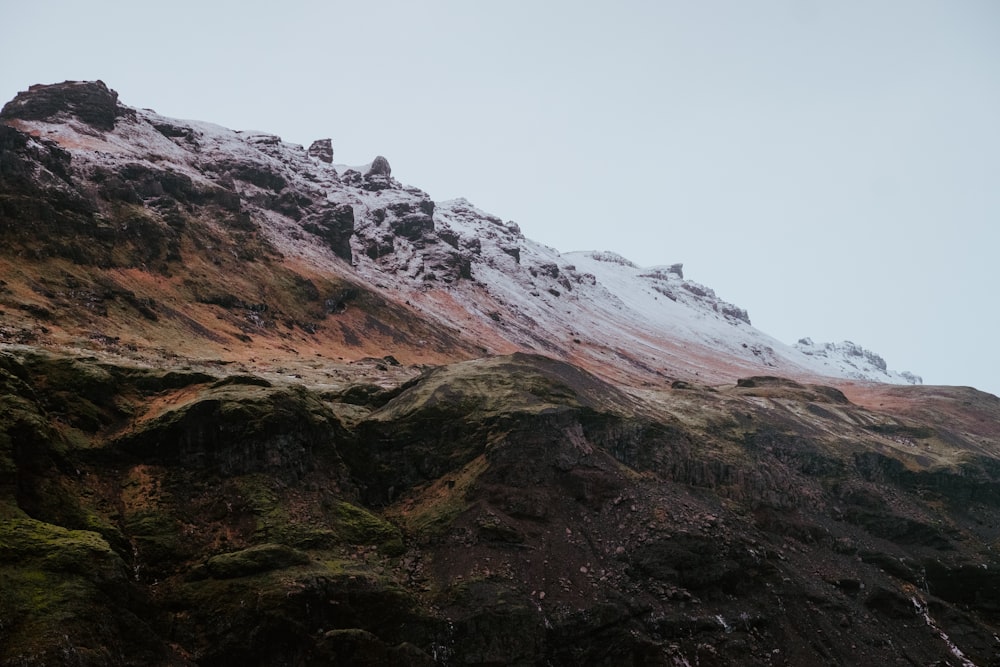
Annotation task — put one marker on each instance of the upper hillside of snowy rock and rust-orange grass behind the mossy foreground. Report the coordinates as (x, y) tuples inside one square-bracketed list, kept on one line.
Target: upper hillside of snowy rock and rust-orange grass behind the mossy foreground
[(148, 233)]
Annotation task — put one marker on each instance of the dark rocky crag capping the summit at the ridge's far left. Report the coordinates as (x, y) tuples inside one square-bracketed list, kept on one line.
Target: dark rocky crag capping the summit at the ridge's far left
[(89, 101)]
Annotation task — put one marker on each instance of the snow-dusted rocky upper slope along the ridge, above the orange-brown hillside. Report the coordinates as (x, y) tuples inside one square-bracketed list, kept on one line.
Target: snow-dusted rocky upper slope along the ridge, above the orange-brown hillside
[(450, 262)]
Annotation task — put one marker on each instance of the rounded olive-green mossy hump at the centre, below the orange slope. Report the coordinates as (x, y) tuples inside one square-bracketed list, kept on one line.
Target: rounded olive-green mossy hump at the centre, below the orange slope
[(447, 417)]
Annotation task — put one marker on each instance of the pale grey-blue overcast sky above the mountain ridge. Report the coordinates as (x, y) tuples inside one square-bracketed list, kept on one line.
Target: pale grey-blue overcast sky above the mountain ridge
[(832, 167)]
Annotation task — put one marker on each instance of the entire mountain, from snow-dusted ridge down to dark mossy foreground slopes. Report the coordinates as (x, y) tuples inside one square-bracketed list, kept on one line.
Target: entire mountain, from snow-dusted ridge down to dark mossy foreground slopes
[(260, 408)]
